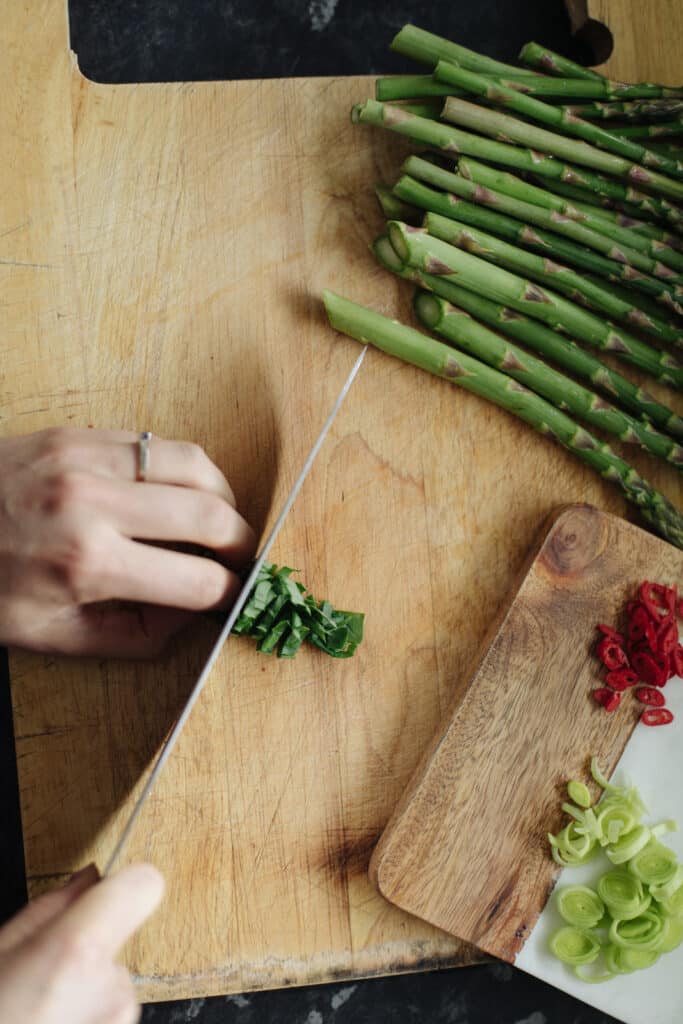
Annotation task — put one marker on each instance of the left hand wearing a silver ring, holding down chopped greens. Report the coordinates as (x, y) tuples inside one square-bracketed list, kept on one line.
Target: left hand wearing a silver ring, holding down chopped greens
[(73, 526)]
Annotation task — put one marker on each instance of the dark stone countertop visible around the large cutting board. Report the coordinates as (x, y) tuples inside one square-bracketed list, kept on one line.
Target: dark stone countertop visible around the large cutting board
[(167, 40)]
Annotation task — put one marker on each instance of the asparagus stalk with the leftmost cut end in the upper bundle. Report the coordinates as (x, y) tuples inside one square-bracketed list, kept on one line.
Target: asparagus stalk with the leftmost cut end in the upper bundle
[(453, 142)]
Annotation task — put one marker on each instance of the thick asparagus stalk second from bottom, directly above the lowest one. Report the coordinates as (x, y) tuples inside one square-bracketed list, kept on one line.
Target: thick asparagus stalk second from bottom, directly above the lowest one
[(456, 325)]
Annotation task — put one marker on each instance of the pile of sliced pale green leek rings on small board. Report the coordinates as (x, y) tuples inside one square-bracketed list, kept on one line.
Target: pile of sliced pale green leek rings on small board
[(635, 913)]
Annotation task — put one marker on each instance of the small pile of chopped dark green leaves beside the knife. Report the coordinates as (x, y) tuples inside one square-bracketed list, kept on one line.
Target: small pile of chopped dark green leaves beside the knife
[(280, 616)]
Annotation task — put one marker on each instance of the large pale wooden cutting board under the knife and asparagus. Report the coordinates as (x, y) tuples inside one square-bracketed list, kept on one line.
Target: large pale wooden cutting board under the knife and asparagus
[(162, 253)]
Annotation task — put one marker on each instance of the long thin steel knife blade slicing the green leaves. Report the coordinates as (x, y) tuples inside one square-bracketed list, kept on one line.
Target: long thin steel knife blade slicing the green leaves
[(178, 729)]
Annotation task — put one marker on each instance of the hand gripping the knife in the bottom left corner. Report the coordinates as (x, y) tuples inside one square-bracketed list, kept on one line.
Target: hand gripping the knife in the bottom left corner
[(57, 956)]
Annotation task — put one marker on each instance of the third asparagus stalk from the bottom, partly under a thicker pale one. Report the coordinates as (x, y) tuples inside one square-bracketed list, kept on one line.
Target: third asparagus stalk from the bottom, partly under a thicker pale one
[(542, 339)]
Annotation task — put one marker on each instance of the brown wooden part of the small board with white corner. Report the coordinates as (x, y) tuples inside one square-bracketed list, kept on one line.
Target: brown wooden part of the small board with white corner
[(466, 849)]
